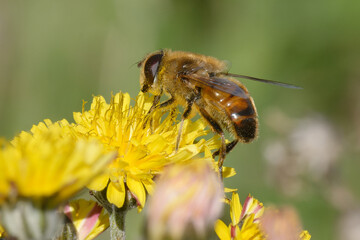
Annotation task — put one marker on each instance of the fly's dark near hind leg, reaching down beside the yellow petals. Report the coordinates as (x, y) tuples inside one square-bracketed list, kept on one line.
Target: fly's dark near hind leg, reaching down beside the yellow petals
[(223, 148)]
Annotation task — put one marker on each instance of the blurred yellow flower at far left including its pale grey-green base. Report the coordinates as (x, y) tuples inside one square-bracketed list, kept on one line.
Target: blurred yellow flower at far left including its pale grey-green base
[(41, 170)]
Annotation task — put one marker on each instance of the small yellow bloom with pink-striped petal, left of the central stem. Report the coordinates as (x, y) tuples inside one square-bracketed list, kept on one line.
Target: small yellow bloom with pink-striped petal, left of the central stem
[(88, 217)]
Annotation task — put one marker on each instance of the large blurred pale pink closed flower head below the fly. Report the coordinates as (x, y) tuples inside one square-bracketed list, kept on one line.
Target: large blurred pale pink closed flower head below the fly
[(187, 197)]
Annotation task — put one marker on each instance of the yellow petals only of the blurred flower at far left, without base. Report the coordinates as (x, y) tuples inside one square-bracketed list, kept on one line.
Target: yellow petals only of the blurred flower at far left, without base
[(49, 165)]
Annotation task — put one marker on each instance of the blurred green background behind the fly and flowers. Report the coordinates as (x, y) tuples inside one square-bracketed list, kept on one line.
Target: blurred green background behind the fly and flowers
[(54, 54)]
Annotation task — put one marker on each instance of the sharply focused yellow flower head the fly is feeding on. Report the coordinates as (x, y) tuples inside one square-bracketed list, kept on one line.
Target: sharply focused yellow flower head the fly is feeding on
[(142, 151)]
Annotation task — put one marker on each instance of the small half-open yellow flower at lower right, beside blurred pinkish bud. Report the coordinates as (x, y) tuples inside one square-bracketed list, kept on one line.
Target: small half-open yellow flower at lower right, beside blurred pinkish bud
[(244, 220)]
